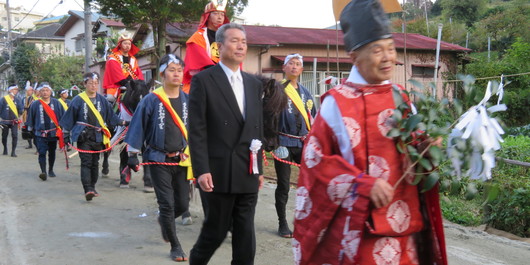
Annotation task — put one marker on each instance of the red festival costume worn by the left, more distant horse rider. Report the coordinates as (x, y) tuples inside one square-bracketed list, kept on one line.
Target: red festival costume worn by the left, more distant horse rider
[(116, 70)]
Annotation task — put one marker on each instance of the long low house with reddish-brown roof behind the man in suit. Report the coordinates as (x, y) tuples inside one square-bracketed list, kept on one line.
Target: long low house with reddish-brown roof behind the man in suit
[(323, 51)]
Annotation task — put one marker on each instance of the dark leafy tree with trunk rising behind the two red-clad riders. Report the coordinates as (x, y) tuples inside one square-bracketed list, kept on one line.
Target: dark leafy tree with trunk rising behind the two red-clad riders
[(158, 13)]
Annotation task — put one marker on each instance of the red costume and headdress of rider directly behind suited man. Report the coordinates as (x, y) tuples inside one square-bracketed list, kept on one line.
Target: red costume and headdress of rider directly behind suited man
[(200, 53)]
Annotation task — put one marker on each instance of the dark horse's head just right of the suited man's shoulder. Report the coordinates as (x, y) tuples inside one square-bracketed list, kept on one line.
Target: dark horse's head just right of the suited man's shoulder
[(274, 102)]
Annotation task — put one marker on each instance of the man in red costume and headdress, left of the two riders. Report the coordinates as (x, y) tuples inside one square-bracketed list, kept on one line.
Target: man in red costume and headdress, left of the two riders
[(120, 67)]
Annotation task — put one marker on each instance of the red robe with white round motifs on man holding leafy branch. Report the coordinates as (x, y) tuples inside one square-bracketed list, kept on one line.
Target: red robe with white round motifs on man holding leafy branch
[(347, 149)]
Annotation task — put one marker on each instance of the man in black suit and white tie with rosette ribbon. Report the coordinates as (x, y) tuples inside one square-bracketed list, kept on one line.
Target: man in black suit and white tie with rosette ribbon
[(225, 117)]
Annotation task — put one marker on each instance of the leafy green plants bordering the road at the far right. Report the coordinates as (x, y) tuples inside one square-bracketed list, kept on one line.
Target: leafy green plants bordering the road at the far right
[(504, 201)]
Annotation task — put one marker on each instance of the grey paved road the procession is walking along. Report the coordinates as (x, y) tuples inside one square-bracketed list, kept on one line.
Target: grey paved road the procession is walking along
[(51, 223)]
